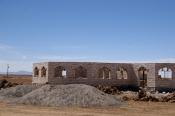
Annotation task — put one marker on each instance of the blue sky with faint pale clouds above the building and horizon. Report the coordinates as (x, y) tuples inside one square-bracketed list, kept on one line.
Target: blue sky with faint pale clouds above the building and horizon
[(85, 30)]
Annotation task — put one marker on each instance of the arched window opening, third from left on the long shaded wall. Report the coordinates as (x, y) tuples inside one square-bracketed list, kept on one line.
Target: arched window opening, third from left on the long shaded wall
[(104, 73)]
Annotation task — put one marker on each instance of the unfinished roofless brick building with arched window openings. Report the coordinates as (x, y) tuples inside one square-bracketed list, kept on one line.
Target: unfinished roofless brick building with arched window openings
[(153, 76)]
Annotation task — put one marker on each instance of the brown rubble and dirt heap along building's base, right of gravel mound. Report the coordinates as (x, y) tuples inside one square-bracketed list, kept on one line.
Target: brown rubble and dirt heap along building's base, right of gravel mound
[(141, 95)]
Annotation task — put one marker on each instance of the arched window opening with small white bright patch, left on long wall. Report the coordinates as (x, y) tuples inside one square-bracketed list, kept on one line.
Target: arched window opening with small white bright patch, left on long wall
[(60, 71)]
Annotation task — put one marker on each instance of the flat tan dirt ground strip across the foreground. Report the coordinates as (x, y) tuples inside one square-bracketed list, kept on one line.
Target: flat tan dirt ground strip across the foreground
[(131, 108)]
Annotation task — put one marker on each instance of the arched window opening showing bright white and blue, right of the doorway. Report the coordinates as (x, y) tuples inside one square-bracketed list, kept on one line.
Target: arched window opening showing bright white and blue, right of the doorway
[(165, 73)]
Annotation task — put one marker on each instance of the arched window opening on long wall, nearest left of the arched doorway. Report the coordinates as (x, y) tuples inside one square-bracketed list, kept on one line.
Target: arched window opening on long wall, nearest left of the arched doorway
[(122, 73)]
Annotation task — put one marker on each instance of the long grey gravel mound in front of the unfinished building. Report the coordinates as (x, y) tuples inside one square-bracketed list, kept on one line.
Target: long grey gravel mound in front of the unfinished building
[(60, 95)]
